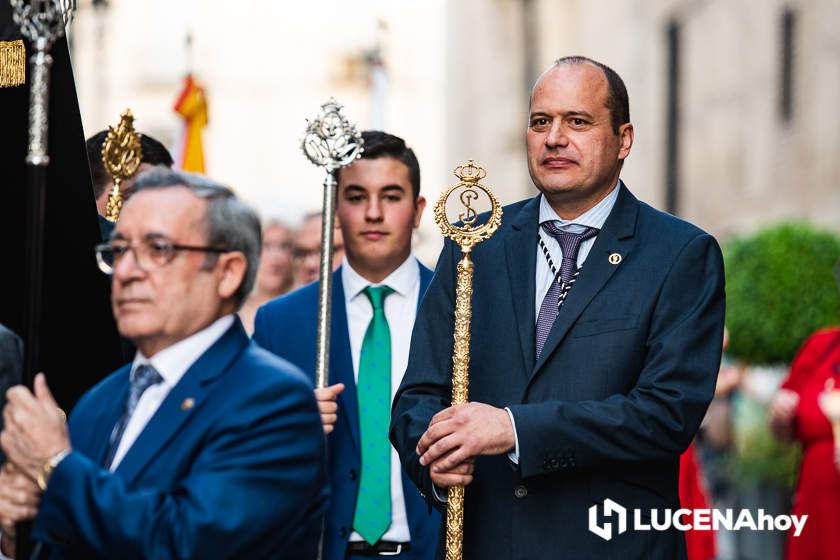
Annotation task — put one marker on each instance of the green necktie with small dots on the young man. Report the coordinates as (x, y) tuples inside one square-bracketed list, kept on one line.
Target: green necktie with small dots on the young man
[(373, 505)]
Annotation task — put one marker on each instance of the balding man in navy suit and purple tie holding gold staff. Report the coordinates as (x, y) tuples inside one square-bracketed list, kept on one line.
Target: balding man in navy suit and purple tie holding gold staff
[(596, 332)]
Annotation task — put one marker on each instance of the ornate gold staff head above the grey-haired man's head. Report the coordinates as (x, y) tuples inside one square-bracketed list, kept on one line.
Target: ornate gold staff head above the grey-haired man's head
[(121, 155)]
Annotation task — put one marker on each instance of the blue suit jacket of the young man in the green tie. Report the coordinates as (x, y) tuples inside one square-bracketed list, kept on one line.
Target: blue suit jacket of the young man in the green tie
[(288, 326)]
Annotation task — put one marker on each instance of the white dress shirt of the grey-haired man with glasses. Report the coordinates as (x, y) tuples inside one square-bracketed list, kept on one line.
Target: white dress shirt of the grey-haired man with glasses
[(171, 363)]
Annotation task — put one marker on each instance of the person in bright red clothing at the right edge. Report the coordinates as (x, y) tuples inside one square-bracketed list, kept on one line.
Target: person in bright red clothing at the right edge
[(795, 413)]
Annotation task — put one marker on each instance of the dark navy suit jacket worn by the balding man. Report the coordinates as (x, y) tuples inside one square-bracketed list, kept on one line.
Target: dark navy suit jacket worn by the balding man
[(617, 394)]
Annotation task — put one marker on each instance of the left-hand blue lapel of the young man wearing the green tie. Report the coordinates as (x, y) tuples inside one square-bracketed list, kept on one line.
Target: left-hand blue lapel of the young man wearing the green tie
[(341, 360)]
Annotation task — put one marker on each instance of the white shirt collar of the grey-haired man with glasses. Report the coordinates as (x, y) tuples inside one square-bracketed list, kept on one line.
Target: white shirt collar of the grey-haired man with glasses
[(173, 361)]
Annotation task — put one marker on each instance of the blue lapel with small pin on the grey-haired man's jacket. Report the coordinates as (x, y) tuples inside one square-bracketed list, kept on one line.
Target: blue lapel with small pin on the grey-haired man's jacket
[(195, 384)]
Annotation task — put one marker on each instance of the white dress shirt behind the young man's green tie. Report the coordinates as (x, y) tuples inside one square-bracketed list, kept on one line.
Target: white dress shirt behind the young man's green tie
[(400, 312)]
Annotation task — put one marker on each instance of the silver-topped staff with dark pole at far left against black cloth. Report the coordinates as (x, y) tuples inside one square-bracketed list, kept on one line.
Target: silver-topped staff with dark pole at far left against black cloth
[(42, 23)]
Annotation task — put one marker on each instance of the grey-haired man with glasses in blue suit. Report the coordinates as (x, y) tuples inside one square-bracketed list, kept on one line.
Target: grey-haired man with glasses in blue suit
[(206, 446)]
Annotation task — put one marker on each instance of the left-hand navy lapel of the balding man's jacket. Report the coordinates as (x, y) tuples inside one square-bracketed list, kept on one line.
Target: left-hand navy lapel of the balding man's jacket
[(521, 252)]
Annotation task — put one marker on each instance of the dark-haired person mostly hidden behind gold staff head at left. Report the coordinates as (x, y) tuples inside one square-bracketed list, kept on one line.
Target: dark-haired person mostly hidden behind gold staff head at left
[(152, 153)]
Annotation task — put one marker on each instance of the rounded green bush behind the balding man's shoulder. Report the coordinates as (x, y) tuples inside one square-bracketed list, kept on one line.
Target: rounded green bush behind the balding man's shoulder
[(780, 288)]
